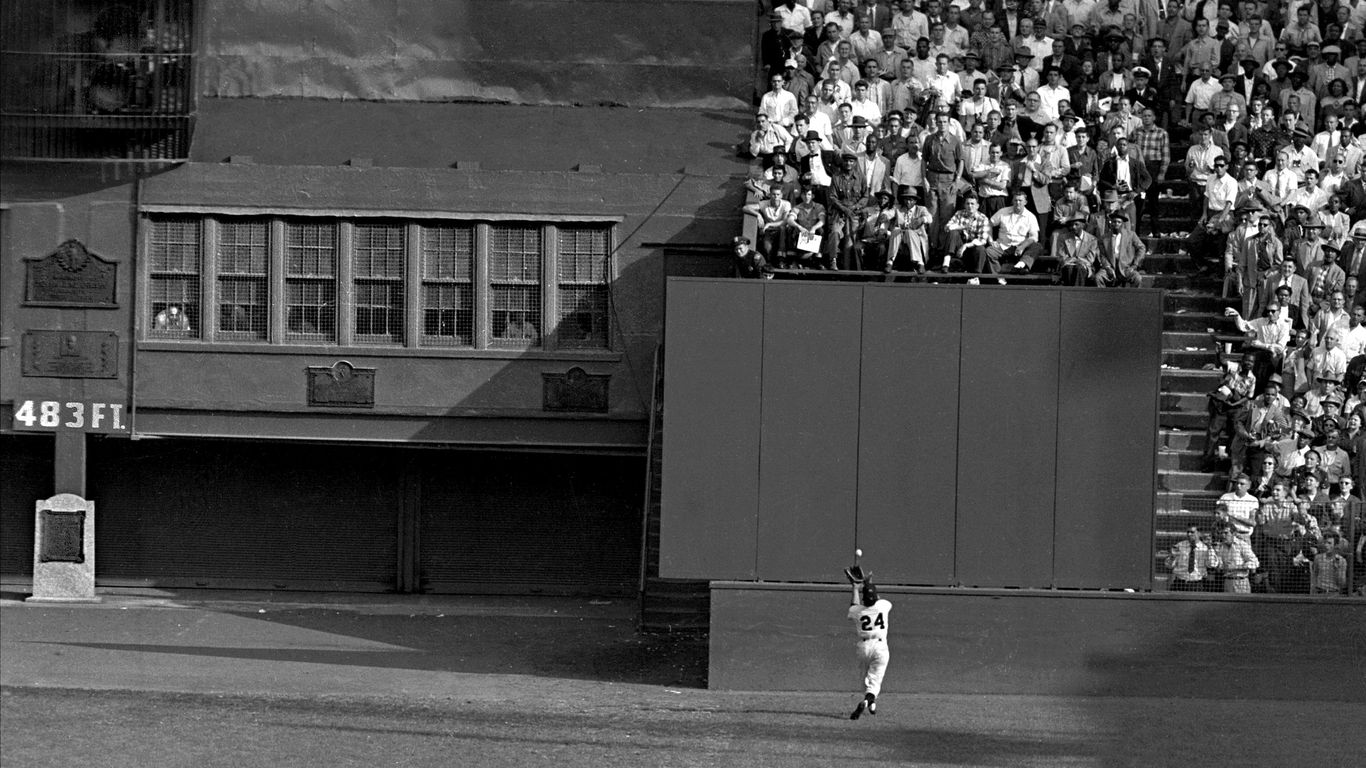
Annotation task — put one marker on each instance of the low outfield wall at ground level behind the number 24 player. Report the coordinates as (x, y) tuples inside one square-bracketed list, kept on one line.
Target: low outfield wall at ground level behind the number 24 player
[(797, 637)]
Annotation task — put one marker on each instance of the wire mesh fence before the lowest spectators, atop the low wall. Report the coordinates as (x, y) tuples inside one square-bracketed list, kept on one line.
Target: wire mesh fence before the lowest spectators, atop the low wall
[(1268, 546)]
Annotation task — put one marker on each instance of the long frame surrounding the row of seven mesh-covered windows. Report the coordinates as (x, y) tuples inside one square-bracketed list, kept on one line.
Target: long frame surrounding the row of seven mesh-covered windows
[(415, 342)]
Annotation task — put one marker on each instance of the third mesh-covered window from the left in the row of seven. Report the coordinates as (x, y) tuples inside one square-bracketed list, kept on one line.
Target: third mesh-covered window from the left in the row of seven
[(311, 258)]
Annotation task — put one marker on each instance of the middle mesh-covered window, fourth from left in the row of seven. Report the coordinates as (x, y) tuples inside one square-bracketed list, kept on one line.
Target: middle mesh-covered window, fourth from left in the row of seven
[(378, 271)]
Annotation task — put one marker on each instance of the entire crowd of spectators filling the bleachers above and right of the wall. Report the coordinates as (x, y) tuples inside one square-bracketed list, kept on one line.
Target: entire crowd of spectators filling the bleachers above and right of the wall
[(1036, 137)]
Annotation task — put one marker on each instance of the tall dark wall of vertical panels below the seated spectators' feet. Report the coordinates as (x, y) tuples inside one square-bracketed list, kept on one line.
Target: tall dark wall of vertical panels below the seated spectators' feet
[(958, 435)]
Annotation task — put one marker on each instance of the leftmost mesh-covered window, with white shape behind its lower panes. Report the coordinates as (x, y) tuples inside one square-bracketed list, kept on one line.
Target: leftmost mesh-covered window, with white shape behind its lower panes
[(174, 284)]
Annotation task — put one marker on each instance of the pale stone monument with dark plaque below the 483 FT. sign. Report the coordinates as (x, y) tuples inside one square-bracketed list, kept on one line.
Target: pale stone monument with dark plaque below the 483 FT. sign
[(64, 550)]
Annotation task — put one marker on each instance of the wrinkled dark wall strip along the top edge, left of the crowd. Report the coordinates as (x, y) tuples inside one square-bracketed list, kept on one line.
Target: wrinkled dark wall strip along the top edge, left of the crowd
[(695, 54)]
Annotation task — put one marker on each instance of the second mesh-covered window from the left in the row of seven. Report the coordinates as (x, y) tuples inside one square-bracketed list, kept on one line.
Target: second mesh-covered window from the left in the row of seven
[(244, 279)]
